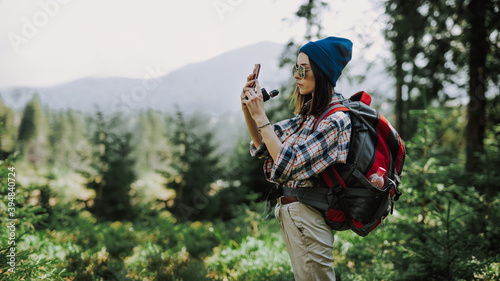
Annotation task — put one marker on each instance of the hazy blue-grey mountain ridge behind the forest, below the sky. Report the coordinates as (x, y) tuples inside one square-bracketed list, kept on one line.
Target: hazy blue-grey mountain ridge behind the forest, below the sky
[(211, 86)]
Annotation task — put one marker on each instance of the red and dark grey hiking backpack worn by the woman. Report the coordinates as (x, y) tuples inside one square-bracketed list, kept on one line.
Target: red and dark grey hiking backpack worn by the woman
[(351, 201)]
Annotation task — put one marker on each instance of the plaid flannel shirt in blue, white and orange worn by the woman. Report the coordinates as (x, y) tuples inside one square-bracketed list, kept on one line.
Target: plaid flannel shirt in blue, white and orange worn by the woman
[(305, 153)]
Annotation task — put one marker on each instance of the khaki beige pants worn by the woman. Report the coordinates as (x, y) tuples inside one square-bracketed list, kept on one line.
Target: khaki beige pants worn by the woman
[(309, 241)]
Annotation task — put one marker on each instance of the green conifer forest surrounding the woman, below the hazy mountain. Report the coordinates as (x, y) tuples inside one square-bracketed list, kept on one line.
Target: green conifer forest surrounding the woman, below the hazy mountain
[(149, 195)]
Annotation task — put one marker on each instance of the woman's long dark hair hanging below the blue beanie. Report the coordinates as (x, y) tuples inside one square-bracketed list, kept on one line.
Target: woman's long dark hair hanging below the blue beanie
[(306, 105)]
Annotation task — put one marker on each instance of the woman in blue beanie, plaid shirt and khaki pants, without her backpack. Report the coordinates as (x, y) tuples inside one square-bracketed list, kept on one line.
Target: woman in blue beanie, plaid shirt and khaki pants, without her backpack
[(295, 153)]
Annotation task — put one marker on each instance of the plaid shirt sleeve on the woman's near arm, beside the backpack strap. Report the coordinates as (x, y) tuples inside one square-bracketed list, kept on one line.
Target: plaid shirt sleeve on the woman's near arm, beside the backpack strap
[(327, 145)]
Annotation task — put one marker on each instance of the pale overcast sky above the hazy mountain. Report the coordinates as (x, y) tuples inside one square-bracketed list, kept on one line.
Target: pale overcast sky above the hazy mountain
[(47, 42)]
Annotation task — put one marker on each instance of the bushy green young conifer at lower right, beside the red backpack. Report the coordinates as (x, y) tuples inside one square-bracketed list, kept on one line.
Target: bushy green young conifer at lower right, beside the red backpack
[(448, 220)]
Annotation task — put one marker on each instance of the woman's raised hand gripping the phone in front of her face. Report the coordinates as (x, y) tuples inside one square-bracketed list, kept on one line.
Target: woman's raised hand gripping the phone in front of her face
[(252, 98)]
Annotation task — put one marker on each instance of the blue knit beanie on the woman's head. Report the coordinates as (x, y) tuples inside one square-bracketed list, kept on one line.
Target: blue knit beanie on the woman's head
[(331, 54)]
